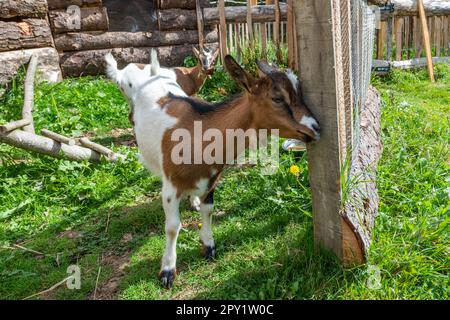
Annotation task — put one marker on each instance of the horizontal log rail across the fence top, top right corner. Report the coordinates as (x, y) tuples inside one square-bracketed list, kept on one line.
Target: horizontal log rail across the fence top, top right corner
[(409, 8)]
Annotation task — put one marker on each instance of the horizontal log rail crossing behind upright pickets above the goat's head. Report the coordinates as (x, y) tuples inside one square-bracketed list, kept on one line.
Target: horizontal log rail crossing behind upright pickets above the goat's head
[(178, 19)]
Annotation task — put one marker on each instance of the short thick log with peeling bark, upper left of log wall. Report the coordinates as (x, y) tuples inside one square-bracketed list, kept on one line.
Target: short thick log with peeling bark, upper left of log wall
[(92, 19)]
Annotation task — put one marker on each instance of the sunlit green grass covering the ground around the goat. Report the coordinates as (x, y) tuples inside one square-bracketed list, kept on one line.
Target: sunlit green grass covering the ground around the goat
[(263, 227)]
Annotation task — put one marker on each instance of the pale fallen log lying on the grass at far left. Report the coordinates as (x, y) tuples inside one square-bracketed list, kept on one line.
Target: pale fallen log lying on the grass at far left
[(31, 142)]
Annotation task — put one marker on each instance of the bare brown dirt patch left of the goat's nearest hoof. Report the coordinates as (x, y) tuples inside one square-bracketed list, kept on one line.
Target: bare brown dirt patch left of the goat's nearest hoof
[(108, 289)]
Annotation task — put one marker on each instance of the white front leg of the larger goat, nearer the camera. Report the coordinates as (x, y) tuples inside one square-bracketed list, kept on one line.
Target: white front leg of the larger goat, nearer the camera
[(171, 205)]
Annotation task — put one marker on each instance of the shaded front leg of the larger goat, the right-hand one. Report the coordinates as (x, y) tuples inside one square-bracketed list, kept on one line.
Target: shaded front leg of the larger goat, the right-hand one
[(206, 236)]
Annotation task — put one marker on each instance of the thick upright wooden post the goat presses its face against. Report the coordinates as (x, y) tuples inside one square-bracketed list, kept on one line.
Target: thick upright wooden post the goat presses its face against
[(324, 29)]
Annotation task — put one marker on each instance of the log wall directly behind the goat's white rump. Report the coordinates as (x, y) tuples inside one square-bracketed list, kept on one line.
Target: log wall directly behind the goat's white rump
[(127, 28)]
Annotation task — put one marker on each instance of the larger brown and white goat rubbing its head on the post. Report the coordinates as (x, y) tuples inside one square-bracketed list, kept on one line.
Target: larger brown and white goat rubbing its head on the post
[(162, 110)]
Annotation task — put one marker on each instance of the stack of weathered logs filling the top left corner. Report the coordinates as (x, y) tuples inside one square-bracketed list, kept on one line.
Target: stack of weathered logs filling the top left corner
[(24, 31)]
